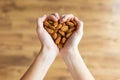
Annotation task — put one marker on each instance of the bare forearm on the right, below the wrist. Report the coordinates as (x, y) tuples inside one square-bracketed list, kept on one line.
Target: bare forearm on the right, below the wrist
[(76, 65)]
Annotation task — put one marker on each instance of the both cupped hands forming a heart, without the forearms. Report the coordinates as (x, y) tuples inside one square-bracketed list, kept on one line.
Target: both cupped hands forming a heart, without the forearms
[(47, 40)]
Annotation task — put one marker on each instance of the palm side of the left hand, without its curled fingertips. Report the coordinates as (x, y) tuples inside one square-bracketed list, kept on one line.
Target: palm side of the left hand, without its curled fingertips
[(44, 36)]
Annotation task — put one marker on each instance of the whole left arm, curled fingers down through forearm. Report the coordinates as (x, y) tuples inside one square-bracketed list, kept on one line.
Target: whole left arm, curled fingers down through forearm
[(47, 54)]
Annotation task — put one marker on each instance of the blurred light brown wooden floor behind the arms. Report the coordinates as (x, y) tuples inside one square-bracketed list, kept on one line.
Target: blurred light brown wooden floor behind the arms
[(100, 45)]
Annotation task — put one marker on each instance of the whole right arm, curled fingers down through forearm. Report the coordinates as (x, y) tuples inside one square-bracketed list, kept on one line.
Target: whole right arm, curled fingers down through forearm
[(71, 55)]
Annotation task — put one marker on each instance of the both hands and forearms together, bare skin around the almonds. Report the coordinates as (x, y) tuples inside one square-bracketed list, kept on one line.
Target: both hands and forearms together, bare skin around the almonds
[(69, 52)]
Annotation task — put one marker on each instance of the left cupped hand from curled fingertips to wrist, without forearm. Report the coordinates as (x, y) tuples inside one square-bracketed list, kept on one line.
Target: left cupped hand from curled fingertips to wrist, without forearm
[(44, 36)]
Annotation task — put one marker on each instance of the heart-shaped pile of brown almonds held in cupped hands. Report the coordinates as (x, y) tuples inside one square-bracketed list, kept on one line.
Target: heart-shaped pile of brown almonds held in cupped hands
[(60, 32)]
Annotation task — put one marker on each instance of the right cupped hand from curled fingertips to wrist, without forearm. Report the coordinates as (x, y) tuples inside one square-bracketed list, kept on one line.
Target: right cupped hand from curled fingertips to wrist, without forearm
[(74, 40)]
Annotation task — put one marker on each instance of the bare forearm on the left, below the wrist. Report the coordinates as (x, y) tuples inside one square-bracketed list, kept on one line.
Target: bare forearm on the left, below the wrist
[(40, 65)]
